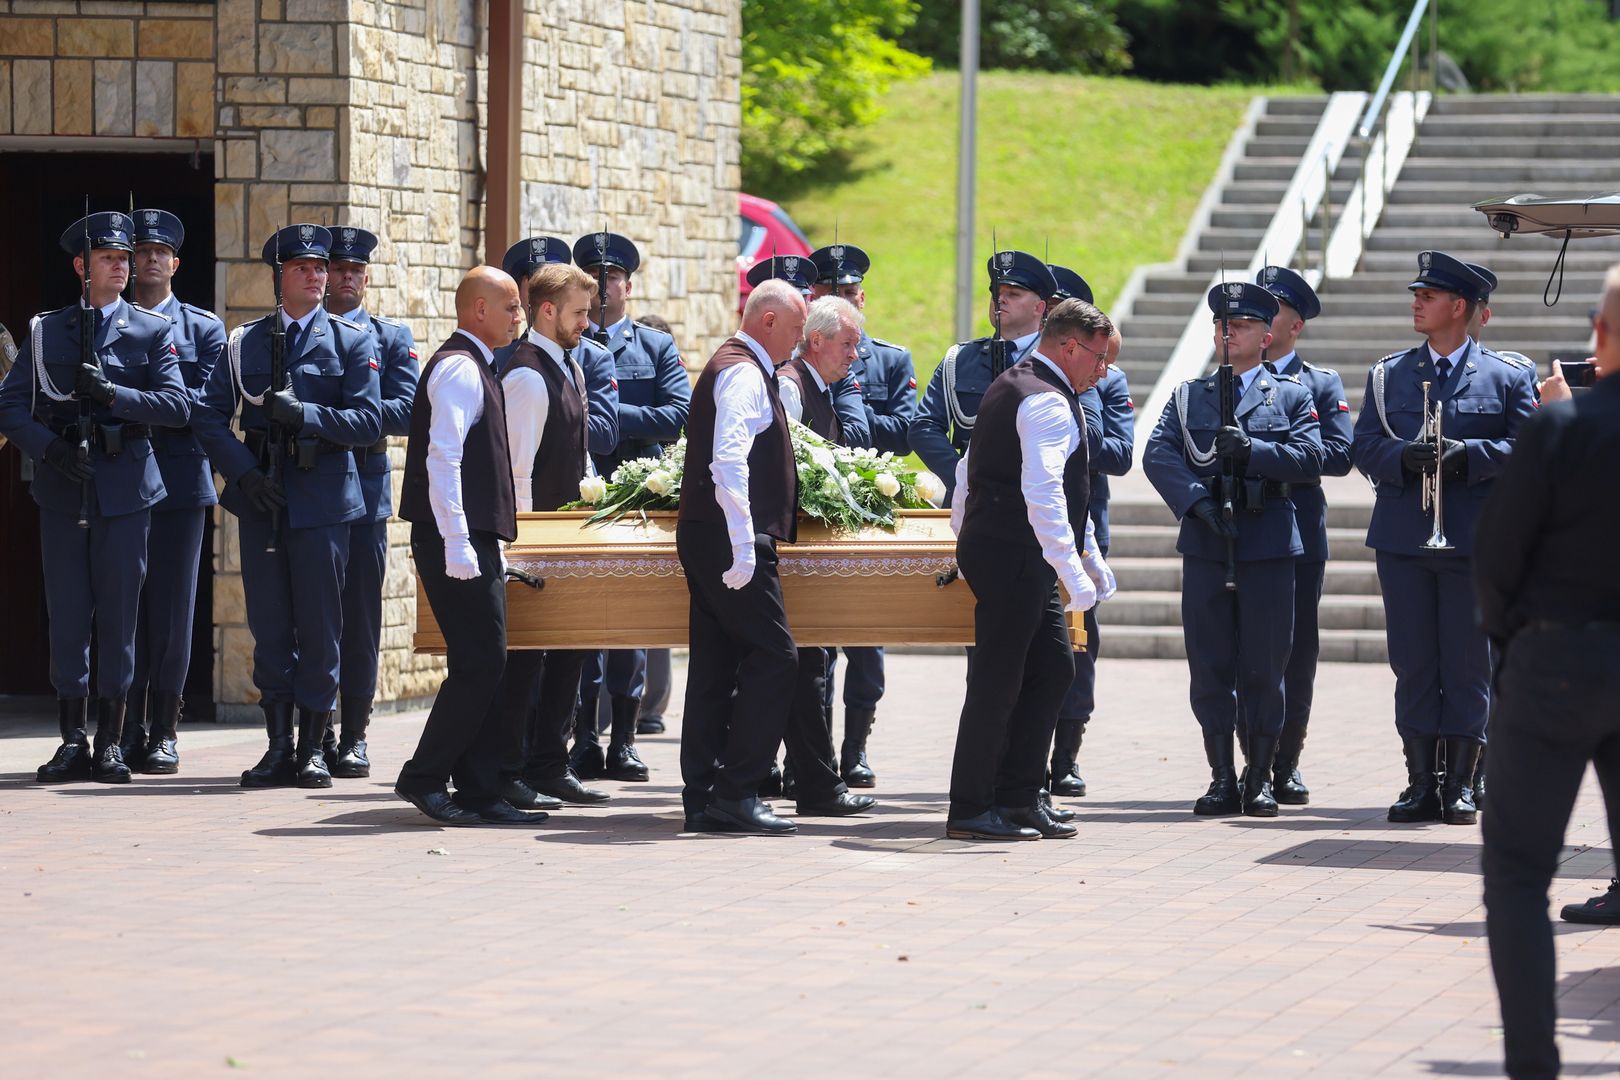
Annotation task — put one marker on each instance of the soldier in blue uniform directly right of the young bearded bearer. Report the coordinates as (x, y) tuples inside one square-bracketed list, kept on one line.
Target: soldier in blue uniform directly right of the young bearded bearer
[(654, 399)]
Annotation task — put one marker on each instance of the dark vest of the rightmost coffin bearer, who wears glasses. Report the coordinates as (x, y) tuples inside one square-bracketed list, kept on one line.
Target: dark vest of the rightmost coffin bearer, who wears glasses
[(995, 491)]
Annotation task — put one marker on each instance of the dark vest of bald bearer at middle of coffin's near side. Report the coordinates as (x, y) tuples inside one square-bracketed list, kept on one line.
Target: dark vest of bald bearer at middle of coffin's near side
[(774, 480)]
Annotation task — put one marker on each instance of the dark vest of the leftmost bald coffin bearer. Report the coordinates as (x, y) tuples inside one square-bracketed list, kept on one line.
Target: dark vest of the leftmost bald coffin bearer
[(487, 467)]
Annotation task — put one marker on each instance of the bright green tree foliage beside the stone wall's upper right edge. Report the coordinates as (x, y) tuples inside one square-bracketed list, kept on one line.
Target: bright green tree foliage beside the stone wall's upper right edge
[(812, 74)]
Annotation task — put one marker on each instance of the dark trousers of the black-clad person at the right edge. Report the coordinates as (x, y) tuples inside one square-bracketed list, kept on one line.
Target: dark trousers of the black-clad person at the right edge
[(1558, 708)]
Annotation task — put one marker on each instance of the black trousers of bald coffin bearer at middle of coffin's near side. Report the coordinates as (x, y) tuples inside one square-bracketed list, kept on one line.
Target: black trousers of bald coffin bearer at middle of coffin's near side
[(740, 674)]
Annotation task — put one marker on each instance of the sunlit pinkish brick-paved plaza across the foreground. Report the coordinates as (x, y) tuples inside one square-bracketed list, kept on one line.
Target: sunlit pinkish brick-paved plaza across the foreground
[(182, 925)]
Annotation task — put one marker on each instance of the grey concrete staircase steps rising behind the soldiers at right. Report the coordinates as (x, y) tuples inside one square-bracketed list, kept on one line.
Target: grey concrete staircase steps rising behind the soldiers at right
[(1469, 150)]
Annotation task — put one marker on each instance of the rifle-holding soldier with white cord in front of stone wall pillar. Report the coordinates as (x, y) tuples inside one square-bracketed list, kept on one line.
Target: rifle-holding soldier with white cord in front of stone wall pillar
[(296, 490)]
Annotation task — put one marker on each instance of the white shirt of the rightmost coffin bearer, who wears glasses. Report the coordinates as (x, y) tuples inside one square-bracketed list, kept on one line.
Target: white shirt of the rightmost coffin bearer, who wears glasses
[(1047, 435)]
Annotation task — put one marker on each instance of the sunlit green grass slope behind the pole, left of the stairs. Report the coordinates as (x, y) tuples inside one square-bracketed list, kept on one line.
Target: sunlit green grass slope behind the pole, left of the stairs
[(1098, 174)]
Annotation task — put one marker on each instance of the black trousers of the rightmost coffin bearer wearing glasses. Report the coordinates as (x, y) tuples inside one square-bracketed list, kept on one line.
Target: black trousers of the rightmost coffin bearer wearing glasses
[(1021, 668)]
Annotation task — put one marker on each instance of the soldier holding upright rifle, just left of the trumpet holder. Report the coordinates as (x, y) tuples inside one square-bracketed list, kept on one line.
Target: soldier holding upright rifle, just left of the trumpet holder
[(1230, 487)]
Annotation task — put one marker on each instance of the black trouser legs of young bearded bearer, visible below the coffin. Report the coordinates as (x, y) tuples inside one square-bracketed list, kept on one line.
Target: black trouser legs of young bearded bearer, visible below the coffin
[(535, 704)]
